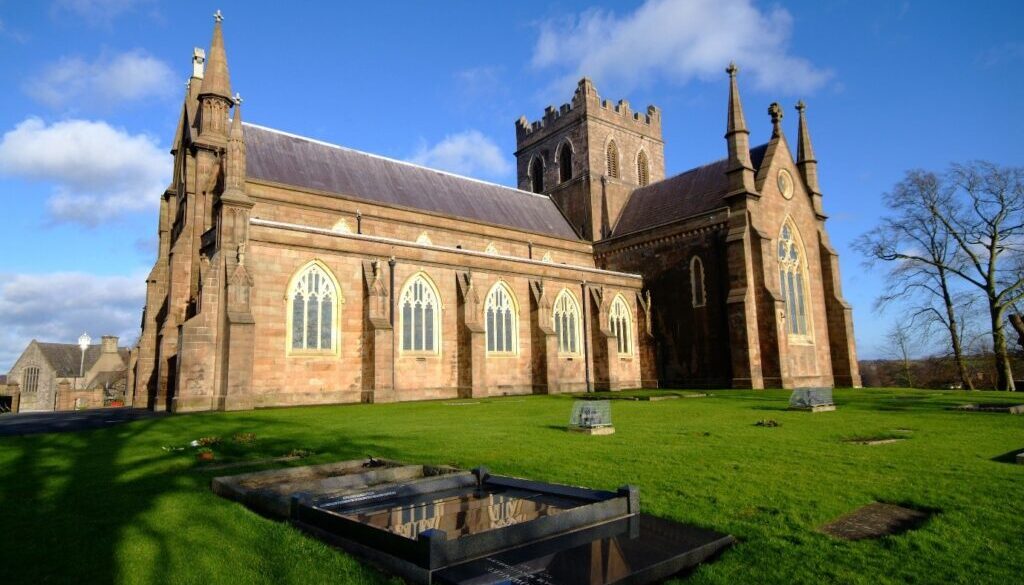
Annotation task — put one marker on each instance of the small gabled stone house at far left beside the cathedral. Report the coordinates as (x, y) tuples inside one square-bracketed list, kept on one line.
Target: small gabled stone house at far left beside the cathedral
[(55, 377)]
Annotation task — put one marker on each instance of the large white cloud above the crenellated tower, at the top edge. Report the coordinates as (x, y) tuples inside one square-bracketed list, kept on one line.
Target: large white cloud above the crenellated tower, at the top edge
[(678, 41)]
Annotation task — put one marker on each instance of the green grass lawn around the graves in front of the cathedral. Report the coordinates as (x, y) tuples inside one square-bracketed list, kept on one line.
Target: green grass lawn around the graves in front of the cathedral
[(113, 507)]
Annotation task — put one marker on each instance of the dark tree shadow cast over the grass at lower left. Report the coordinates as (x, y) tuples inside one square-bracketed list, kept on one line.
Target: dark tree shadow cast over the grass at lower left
[(110, 506)]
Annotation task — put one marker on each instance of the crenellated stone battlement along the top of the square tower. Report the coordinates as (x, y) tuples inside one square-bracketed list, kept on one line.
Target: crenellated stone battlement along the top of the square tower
[(587, 101)]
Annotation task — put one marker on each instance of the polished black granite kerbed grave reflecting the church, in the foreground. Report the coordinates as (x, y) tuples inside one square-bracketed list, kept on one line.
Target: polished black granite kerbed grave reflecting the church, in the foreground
[(475, 528)]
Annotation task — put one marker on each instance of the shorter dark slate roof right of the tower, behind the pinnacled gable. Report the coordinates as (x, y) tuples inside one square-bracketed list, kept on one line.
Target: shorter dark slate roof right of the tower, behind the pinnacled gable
[(688, 194)]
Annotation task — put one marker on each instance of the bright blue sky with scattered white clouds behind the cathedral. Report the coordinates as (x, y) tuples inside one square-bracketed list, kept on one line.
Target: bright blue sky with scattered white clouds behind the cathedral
[(94, 90)]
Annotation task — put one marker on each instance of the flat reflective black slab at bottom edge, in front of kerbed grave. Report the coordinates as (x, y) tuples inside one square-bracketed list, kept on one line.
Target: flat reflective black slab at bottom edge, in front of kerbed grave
[(634, 551)]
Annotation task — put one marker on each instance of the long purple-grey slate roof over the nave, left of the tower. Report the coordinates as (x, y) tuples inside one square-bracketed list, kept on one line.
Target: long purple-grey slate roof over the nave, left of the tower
[(287, 159)]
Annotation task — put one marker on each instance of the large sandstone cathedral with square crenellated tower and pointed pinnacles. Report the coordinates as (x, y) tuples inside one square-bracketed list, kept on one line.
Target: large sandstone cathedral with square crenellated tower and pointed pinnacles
[(296, 272)]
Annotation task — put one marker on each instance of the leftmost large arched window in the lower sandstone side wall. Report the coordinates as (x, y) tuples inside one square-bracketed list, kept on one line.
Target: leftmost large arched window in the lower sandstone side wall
[(313, 311)]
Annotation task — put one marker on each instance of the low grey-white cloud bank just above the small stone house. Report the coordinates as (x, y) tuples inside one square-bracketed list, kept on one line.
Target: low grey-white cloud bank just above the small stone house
[(59, 307)]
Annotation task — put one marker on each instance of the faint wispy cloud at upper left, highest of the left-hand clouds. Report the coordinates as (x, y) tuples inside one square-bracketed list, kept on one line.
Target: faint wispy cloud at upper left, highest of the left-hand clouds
[(105, 82)]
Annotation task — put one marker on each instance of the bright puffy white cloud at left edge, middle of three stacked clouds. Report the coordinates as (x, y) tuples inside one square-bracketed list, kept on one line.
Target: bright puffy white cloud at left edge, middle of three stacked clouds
[(99, 173)]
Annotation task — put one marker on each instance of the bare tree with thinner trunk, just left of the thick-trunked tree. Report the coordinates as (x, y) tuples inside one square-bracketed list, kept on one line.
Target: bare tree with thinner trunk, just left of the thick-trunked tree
[(921, 279)]
